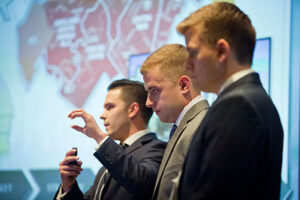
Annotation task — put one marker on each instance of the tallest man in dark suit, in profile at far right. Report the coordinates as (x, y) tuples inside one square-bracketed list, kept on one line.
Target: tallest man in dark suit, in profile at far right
[(236, 152)]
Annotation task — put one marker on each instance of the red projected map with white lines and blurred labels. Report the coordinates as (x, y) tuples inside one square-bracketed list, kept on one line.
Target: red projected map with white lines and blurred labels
[(80, 40)]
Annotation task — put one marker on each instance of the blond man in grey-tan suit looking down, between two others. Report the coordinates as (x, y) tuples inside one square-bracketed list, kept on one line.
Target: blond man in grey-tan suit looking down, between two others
[(174, 99)]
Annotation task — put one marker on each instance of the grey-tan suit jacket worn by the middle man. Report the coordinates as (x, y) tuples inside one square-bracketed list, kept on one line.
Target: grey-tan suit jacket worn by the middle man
[(177, 148)]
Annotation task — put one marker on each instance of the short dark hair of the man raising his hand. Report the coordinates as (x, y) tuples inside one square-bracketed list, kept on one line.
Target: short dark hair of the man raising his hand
[(133, 91)]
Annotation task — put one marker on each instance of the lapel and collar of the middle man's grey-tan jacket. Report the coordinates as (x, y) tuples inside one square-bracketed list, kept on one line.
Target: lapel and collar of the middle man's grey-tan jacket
[(191, 113)]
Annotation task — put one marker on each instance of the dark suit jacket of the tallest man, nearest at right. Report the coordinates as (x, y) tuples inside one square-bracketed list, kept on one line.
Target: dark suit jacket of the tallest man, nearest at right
[(237, 150)]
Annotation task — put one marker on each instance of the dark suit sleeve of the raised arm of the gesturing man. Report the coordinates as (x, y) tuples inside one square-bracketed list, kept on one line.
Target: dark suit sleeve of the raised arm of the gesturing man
[(136, 175)]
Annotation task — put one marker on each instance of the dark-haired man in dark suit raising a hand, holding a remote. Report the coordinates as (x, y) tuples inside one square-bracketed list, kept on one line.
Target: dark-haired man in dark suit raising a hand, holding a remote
[(130, 169)]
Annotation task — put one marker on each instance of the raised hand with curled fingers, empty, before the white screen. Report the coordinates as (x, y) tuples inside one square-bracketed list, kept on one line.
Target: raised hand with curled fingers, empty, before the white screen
[(91, 129)]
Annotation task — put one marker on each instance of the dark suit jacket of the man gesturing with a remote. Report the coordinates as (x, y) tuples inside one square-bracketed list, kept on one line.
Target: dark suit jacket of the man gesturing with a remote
[(132, 171)]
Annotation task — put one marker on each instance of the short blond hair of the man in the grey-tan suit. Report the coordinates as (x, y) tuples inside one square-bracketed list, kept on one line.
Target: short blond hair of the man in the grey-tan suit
[(170, 59)]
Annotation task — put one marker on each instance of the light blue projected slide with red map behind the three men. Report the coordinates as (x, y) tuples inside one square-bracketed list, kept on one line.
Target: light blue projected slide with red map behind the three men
[(59, 55)]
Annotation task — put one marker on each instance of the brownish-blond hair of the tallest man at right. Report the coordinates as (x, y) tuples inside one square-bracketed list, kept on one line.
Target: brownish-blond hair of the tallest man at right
[(223, 20)]
